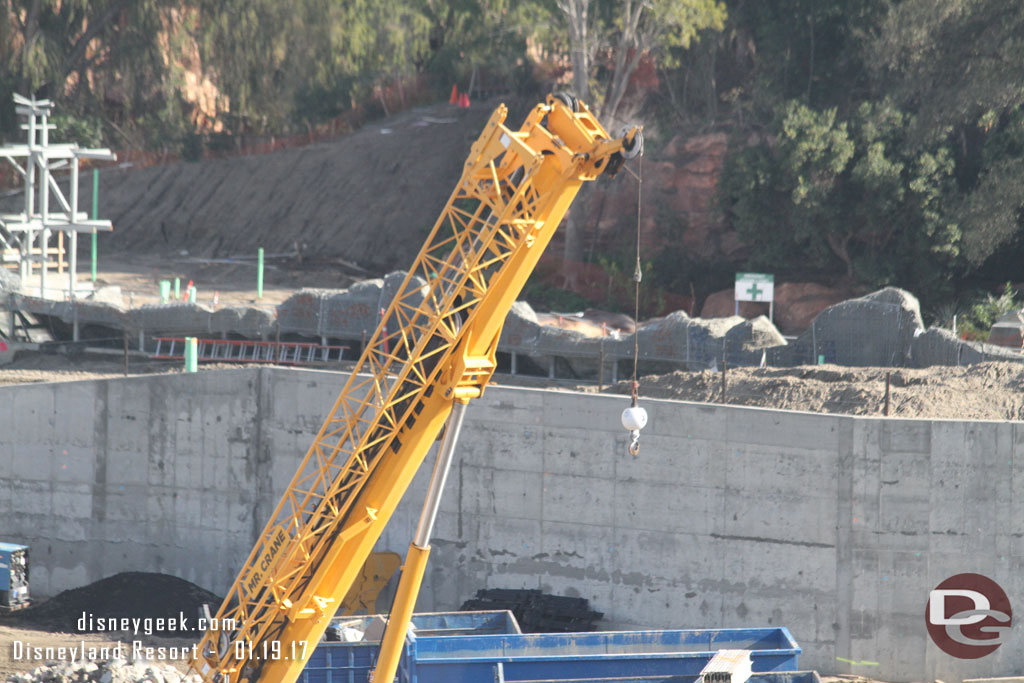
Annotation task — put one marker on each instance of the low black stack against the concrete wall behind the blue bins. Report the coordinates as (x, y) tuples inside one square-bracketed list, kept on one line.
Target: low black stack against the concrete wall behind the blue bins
[(537, 612)]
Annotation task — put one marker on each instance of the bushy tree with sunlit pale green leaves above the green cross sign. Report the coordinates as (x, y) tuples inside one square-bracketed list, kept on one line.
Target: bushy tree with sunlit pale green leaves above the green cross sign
[(850, 196)]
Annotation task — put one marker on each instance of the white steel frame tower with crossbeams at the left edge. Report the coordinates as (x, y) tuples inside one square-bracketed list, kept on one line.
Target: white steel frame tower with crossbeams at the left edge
[(26, 237)]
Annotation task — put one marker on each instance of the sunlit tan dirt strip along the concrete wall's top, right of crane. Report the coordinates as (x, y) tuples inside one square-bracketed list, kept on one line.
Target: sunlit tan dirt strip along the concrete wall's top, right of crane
[(984, 392)]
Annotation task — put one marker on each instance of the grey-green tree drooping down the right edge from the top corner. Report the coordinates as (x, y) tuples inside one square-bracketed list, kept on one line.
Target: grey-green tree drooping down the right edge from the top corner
[(957, 65)]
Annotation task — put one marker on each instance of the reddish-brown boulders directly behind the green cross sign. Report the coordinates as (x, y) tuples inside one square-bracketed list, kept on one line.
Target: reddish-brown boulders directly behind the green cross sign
[(796, 306)]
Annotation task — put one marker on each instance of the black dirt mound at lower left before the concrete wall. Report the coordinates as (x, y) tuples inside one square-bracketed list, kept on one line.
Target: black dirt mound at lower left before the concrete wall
[(158, 600)]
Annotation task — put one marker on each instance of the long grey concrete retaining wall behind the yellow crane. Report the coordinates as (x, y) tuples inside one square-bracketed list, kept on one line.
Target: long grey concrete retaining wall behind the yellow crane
[(835, 527)]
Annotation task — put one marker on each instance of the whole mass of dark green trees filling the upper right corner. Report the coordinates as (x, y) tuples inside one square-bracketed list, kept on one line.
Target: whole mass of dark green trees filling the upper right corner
[(903, 162)]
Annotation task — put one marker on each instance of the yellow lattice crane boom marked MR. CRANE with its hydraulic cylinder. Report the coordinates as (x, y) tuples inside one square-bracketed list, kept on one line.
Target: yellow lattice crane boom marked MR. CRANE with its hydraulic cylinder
[(432, 354)]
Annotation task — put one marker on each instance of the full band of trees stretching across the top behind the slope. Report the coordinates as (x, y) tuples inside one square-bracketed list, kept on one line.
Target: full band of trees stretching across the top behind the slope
[(881, 142)]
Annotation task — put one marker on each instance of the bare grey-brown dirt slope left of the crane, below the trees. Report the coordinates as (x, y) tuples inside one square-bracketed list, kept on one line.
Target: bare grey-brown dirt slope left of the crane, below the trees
[(370, 197)]
